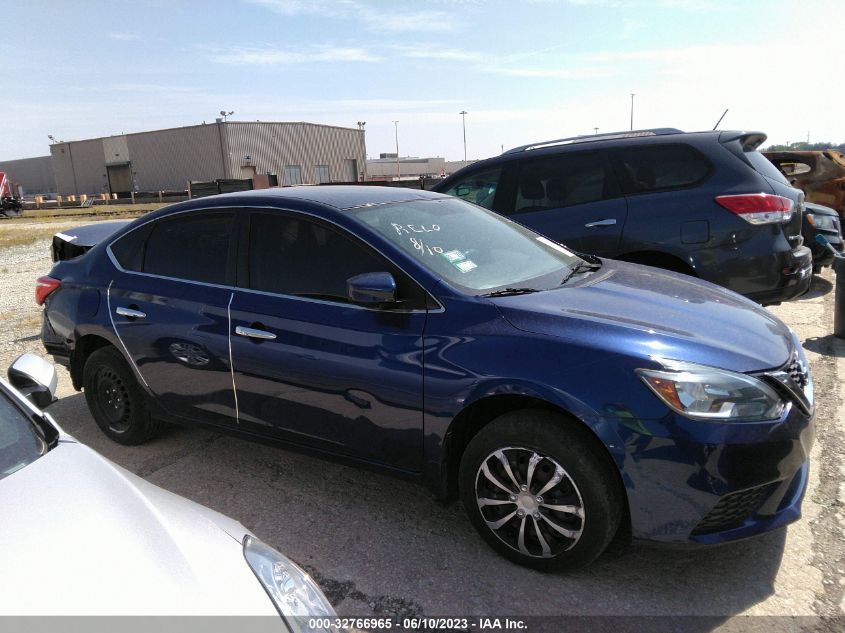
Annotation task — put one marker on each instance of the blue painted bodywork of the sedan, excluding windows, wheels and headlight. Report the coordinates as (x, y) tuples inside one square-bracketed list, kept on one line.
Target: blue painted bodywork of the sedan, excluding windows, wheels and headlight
[(403, 392)]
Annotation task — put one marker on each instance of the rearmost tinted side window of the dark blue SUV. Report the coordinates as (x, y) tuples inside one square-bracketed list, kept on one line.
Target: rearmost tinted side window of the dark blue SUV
[(660, 167)]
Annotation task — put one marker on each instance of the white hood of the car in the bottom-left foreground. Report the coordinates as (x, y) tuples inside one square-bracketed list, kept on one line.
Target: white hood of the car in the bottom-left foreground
[(83, 536)]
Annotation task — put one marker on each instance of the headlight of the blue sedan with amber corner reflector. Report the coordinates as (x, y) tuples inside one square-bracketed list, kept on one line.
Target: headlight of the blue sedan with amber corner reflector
[(707, 393)]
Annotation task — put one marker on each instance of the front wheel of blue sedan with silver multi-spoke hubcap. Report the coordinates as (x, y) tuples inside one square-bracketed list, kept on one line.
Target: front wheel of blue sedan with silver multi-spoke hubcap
[(587, 486)]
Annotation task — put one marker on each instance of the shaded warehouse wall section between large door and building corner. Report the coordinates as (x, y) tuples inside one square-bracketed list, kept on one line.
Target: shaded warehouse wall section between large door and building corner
[(168, 159)]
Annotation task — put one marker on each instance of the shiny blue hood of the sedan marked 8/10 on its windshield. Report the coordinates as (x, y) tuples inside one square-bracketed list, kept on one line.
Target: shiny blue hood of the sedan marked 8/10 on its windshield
[(648, 312)]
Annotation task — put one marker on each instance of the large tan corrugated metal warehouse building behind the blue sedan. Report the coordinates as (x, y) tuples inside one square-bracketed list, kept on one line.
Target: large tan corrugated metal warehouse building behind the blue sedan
[(166, 160)]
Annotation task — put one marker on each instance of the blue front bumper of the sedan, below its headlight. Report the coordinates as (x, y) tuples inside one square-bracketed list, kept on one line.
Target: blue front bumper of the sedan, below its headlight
[(707, 483)]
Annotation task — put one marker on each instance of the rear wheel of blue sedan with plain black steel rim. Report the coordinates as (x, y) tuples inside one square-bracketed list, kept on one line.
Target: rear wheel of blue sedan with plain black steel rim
[(116, 400)]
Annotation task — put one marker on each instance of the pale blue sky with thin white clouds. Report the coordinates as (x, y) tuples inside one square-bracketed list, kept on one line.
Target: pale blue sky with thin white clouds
[(522, 70)]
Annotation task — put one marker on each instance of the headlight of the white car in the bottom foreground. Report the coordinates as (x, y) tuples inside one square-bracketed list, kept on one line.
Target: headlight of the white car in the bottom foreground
[(296, 596)]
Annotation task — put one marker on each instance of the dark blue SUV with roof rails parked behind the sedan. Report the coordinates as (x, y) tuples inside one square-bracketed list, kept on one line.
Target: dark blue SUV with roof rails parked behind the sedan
[(707, 204)]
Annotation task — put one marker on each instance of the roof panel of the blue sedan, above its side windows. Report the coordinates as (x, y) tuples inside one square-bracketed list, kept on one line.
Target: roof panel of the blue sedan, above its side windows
[(338, 196)]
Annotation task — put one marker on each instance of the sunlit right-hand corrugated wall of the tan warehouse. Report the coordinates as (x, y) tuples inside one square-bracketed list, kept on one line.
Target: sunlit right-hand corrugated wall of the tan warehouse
[(273, 146)]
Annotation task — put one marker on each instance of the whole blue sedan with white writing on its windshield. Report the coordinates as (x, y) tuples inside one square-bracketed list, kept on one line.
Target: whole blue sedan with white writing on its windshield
[(565, 398)]
